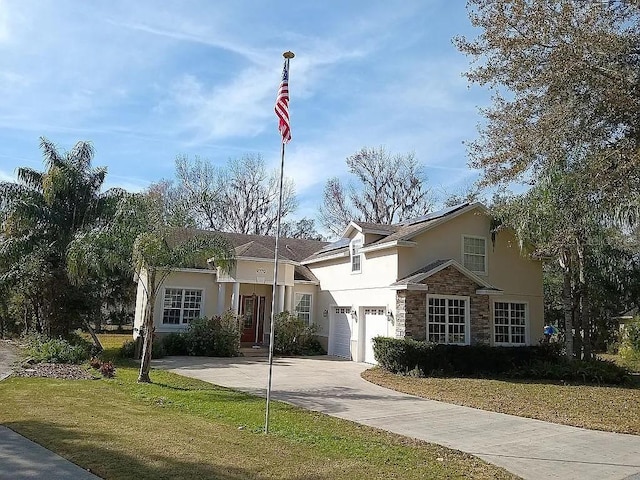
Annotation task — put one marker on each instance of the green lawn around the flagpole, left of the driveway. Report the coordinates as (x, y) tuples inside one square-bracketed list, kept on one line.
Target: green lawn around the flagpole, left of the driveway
[(184, 428)]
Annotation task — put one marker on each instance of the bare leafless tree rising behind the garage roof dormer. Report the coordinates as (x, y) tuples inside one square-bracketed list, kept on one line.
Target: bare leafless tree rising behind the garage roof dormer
[(388, 188)]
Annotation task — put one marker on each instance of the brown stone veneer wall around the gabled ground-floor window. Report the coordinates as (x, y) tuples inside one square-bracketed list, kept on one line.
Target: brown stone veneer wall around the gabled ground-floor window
[(411, 306)]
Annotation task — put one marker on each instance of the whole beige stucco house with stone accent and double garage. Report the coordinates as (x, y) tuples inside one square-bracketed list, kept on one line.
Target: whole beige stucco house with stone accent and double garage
[(441, 277)]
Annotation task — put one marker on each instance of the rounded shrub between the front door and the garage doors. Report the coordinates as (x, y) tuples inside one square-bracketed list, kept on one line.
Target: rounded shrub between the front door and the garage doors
[(294, 337)]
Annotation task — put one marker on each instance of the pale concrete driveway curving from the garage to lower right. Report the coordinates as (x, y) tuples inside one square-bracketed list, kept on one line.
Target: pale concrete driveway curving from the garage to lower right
[(529, 448)]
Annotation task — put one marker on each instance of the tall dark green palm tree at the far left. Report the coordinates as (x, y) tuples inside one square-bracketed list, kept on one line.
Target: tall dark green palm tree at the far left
[(42, 214)]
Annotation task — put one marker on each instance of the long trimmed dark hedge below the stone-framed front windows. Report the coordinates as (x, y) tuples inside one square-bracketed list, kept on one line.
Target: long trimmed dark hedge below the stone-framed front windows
[(406, 356)]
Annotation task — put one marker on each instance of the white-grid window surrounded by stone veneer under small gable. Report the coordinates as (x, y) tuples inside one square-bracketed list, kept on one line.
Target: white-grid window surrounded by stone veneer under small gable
[(447, 319)]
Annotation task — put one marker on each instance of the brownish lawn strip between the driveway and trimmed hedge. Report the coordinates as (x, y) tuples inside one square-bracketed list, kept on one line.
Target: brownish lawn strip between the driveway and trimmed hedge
[(613, 409)]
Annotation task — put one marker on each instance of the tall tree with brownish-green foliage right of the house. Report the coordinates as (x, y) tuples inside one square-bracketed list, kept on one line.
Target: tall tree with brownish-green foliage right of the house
[(564, 119)]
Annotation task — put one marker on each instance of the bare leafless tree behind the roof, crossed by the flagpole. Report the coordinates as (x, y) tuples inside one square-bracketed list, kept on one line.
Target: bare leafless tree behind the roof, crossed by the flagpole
[(241, 197)]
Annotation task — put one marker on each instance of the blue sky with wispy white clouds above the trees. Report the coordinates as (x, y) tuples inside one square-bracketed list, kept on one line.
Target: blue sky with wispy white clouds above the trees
[(146, 81)]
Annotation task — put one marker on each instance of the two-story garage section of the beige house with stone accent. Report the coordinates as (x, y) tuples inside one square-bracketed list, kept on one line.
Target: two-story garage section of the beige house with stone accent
[(441, 278)]
